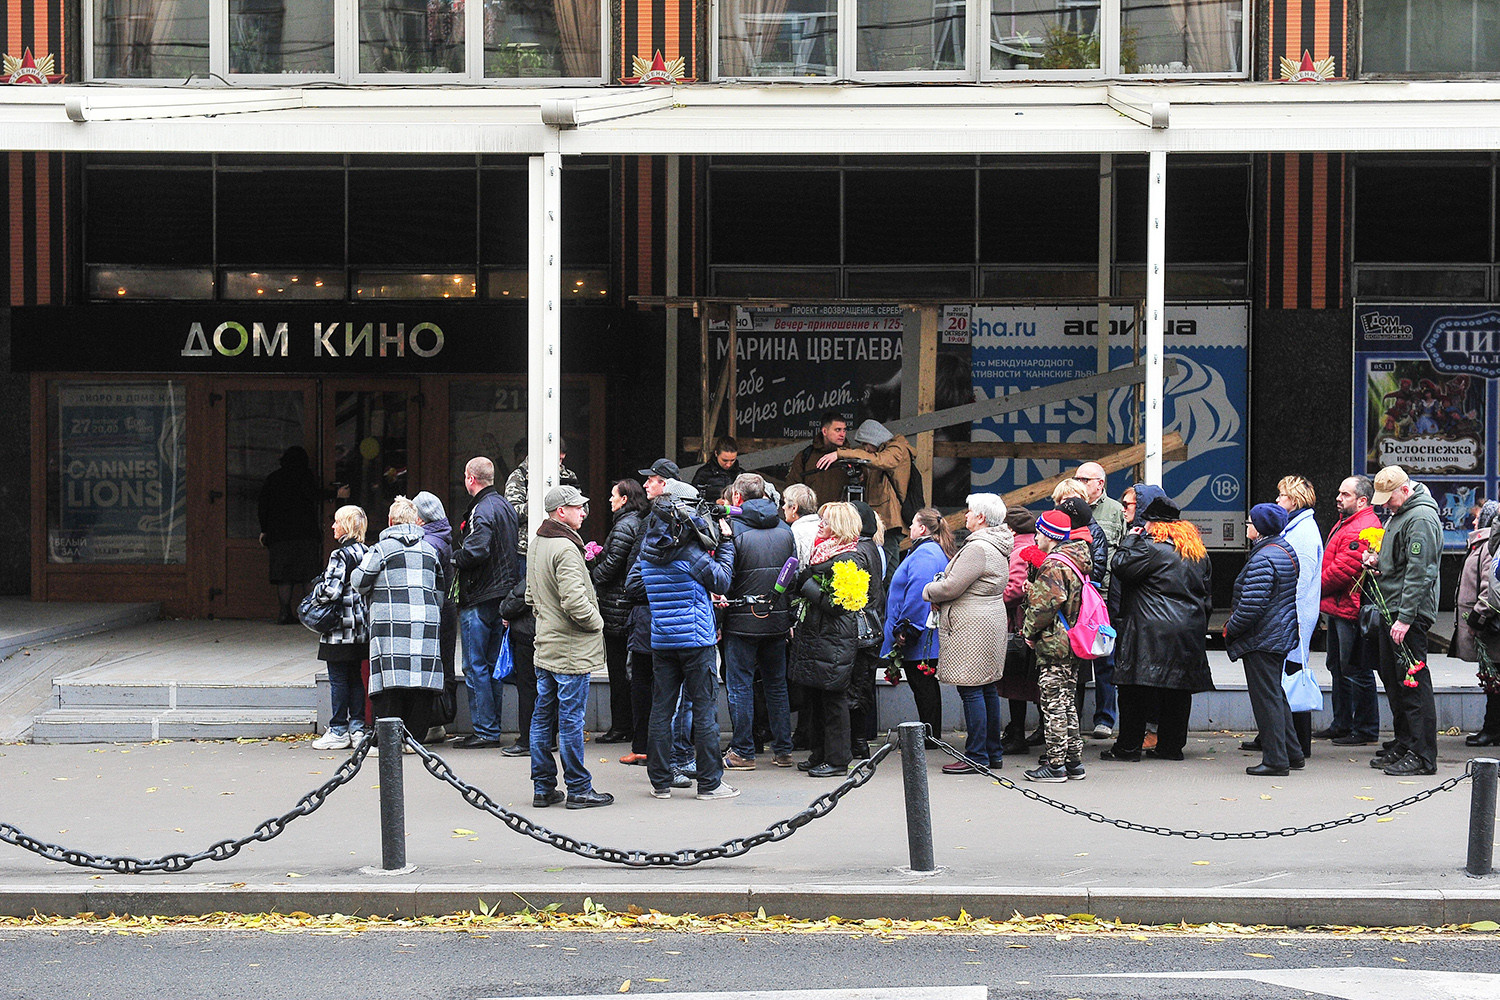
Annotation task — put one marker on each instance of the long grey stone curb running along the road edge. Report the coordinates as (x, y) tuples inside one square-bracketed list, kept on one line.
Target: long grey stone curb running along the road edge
[(1315, 908)]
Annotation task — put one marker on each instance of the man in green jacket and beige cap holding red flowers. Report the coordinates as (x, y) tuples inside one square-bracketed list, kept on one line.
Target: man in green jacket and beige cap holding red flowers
[(1408, 576)]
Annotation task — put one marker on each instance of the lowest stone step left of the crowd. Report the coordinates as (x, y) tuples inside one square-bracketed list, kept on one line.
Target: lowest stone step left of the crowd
[(97, 726)]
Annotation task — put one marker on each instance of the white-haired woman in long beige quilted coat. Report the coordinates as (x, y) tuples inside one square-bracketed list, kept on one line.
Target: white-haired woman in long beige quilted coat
[(970, 597)]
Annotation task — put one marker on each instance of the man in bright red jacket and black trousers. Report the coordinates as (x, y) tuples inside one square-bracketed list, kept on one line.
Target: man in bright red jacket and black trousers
[(1351, 660)]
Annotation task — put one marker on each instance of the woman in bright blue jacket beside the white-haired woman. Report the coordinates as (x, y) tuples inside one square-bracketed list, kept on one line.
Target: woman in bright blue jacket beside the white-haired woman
[(932, 549)]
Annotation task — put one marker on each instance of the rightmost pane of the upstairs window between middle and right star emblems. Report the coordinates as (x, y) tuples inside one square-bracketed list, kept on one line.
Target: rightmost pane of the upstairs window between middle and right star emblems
[(1183, 37)]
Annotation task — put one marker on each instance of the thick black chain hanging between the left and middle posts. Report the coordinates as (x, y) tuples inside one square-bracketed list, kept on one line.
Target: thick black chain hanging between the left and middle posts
[(823, 806)]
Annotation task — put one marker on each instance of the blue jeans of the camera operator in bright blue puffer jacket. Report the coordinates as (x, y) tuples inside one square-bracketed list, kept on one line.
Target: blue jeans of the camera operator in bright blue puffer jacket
[(692, 674)]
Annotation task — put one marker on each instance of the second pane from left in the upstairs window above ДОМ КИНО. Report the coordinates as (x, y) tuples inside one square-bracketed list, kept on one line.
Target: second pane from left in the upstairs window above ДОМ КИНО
[(281, 37)]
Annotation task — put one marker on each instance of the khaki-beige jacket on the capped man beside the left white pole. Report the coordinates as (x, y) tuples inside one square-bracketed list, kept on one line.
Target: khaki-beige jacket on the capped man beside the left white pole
[(571, 632)]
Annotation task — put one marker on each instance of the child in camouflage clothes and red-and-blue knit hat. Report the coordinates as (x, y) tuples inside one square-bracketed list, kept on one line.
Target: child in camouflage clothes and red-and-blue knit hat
[(1057, 590)]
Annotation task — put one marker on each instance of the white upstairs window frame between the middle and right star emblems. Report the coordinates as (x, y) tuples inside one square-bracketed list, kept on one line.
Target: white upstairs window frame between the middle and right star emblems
[(977, 50)]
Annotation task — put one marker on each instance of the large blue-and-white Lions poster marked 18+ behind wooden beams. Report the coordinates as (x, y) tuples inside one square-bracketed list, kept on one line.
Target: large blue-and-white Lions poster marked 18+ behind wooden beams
[(1016, 349)]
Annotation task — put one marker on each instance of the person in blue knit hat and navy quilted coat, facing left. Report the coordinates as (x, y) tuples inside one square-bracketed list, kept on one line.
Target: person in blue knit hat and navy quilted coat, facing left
[(1264, 629)]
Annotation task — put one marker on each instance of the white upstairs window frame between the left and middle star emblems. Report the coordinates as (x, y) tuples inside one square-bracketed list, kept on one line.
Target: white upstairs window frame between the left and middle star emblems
[(346, 56)]
